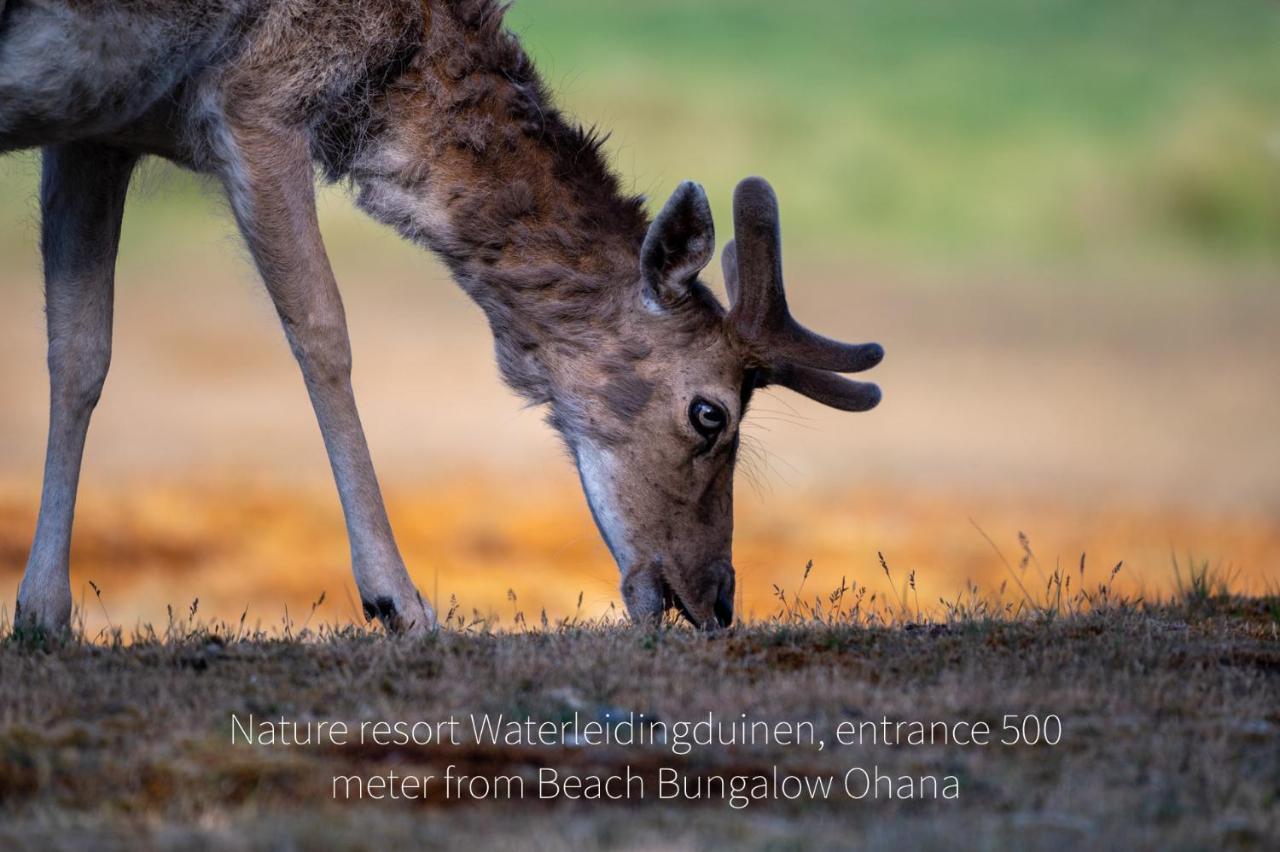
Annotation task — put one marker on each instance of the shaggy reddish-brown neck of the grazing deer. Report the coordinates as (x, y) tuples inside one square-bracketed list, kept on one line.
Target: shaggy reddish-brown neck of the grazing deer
[(473, 162)]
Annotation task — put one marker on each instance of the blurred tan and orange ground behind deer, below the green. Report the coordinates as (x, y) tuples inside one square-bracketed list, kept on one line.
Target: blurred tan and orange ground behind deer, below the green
[(1085, 420)]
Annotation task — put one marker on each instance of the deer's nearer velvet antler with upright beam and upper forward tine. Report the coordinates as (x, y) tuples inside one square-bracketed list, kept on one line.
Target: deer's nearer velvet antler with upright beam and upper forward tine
[(760, 312)]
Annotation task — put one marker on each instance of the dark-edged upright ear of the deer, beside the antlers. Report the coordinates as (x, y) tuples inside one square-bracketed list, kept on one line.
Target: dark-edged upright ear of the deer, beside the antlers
[(682, 241)]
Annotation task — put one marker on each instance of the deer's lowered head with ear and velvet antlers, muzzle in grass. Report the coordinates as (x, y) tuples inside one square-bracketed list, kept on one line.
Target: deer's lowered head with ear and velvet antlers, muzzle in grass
[(653, 420)]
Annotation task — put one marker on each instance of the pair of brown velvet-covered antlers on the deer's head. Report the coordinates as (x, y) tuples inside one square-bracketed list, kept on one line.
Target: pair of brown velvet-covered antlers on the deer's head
[(796, 358)]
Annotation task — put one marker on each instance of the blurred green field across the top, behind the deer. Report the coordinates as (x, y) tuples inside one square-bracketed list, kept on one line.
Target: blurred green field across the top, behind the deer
[(929, 132)]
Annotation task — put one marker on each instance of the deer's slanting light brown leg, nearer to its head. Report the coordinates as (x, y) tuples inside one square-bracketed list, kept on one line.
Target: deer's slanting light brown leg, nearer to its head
[(269, 181)]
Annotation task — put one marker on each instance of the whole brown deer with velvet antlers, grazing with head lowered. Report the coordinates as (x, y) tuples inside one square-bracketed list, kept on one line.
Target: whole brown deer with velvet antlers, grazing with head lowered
[(433, 113)]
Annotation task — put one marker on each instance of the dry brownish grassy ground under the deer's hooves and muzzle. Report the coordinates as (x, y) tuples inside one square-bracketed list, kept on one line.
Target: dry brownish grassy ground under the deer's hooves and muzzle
[(1171, 732)]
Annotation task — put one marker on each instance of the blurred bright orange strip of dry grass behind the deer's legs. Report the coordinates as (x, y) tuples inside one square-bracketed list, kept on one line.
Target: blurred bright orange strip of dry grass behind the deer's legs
[(268, 553)]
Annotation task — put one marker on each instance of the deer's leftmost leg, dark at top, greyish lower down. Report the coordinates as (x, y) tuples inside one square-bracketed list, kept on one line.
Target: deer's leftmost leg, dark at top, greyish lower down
[(83, 203)]
